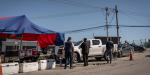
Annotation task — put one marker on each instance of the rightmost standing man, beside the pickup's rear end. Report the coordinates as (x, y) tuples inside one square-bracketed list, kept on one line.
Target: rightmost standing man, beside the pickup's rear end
[(109, 49)]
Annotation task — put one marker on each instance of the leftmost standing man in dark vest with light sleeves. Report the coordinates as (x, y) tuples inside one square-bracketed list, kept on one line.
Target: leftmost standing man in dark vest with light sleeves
[(69, 52)]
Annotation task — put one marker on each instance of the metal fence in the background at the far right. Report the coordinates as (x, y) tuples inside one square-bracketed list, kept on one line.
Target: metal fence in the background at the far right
[(141, 42)]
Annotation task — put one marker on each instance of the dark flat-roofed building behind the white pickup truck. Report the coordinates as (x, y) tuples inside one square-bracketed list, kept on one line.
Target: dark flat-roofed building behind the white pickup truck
[(104, 39)]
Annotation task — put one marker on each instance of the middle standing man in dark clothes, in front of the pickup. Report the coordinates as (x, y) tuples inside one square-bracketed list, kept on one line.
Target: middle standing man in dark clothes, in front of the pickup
[(85, 51)]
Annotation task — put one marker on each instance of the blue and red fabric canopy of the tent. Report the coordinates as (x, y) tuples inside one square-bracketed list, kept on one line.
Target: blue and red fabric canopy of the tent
[(10, 26)]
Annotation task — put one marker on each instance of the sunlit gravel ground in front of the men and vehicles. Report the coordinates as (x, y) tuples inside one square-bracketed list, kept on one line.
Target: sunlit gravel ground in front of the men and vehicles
[(122, 66)]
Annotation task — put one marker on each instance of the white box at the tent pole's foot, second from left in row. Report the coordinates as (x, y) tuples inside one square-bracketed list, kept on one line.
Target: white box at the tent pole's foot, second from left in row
[(28, 67)]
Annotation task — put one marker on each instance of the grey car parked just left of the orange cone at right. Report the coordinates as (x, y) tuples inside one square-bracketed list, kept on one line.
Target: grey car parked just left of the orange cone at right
[(124, 50)]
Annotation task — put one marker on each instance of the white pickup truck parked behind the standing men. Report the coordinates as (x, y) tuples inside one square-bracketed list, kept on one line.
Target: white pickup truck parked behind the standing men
[(96, 49)]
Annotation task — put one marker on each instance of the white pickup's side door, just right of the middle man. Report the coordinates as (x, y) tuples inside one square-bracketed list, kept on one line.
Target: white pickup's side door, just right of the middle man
[(96, 48)]
